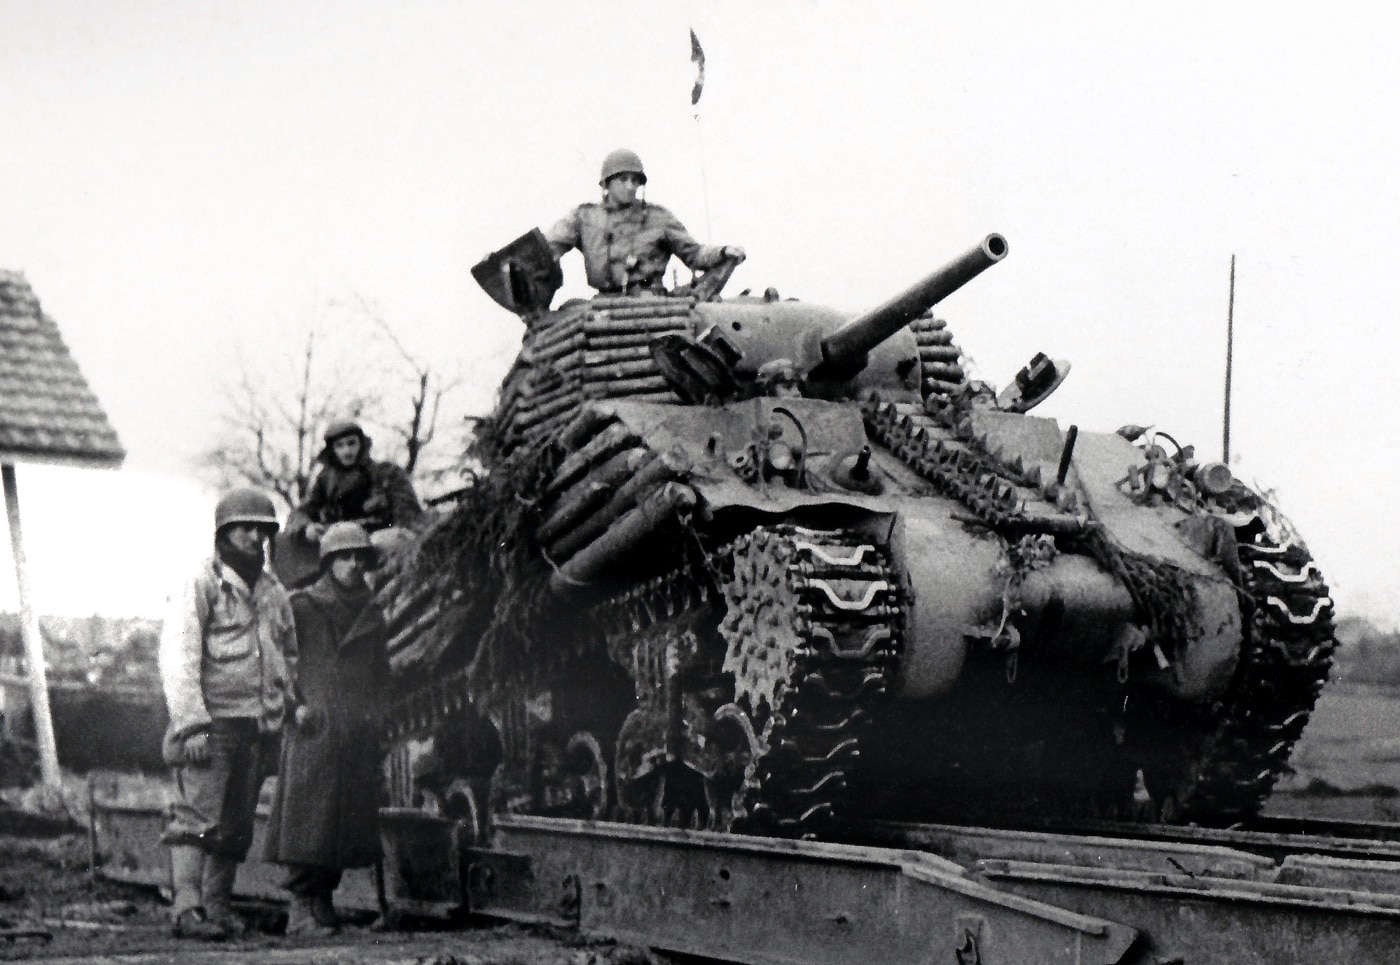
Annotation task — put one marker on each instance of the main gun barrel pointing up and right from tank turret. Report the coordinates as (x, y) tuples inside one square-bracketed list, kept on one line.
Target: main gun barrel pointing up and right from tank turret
[(846, 348)]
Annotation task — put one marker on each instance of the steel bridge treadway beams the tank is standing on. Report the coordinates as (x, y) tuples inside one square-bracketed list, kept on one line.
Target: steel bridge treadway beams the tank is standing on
[(884, 891)]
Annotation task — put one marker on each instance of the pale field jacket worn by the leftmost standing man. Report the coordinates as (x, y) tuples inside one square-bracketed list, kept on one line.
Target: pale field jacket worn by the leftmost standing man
[(223, 651)]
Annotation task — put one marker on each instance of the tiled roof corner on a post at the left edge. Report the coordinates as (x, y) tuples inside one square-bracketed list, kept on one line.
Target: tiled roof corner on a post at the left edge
[(48, 414)]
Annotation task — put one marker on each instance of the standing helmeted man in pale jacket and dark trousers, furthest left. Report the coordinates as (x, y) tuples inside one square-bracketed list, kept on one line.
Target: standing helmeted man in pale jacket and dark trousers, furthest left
[(225, 680)]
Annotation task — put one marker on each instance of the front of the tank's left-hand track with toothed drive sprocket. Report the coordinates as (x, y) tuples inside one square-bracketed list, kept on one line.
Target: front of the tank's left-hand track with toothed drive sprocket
[(811, 634)]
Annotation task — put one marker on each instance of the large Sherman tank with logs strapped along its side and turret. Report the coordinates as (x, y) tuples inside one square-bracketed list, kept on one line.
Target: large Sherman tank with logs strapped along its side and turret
[(754, 565)]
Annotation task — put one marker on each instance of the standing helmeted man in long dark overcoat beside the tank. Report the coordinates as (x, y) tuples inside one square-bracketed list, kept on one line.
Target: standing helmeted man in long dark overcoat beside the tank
[(325, 816)]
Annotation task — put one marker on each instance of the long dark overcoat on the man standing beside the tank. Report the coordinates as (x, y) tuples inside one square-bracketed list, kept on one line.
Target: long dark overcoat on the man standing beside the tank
[(330, 788)]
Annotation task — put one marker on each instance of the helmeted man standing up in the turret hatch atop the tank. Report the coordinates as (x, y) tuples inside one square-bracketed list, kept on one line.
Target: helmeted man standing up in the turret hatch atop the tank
[(626, 242)]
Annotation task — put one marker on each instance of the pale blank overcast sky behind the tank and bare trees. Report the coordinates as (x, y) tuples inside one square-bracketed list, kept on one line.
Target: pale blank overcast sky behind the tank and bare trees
[(188, 183)]
